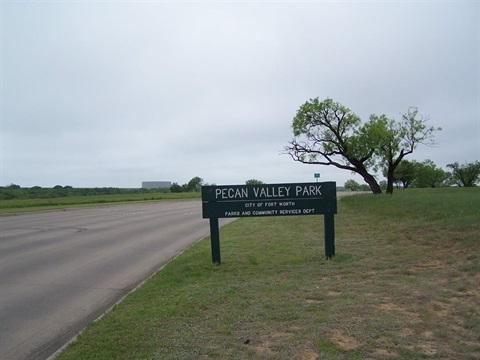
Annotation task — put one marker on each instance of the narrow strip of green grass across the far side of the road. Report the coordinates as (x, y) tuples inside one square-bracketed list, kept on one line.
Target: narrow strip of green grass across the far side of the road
[(24, 205)]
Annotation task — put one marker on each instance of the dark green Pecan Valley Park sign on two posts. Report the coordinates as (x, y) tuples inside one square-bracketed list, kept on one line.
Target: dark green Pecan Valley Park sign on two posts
[(231, 201)]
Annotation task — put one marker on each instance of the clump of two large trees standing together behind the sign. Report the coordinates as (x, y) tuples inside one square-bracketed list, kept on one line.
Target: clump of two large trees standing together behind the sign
[(328, 133)]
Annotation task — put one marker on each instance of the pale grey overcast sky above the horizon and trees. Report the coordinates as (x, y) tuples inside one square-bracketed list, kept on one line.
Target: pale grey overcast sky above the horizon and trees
[(113, 93)]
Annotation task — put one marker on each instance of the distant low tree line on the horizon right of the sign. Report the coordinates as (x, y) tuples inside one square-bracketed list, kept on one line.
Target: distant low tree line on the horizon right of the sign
[(427, 174)]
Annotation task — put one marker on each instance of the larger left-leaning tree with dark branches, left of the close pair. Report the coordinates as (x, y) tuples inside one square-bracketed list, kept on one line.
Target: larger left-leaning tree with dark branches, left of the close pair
[(328, 133)]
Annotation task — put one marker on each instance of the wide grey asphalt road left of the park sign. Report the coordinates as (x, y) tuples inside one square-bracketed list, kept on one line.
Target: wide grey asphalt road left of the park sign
[(60, 270)]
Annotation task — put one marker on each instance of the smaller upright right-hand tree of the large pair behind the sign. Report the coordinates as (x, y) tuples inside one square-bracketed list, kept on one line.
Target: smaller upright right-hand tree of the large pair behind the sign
[(399, 139)]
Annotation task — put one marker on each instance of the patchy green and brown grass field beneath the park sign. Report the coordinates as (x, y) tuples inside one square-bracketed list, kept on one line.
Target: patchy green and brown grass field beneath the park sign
[(404, 284)]
